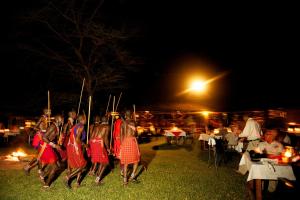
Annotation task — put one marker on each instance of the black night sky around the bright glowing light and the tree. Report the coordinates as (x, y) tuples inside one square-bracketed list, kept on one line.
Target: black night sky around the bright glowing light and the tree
[(256, 45)]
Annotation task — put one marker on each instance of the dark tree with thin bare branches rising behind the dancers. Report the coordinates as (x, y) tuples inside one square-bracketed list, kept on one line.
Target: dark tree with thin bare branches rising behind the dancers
[(75, 42)]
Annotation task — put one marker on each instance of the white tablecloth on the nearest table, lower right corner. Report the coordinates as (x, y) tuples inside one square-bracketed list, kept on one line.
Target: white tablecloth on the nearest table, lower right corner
[(259, 170)]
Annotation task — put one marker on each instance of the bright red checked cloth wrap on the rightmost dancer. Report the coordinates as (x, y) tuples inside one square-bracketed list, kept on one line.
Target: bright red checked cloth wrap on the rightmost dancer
[(129, 152)]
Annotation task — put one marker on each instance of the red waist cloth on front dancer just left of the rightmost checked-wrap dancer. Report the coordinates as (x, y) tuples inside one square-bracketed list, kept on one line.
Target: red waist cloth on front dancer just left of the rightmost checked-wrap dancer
[(98, 151)]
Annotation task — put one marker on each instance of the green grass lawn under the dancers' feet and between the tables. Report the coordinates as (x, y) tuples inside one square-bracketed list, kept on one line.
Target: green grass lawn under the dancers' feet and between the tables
[(173, 173)]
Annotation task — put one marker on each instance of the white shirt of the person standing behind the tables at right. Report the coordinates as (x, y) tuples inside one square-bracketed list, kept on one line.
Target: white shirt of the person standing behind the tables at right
[(252, 130)]
